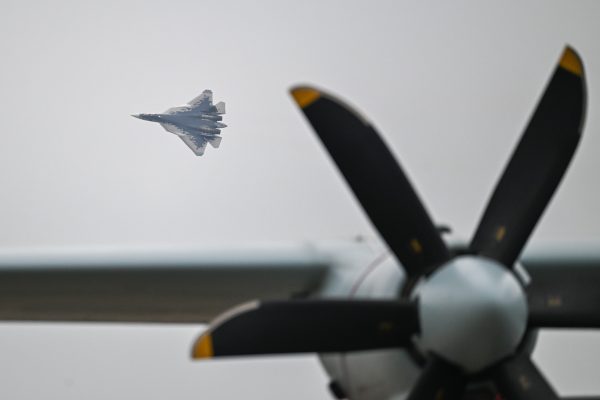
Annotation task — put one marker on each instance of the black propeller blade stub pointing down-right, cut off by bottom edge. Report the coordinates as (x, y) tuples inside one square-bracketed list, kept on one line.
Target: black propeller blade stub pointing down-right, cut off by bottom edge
[(519, 379)]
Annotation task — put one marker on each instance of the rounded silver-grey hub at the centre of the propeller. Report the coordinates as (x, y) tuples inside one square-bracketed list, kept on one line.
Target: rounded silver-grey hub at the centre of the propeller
[(472, 312)]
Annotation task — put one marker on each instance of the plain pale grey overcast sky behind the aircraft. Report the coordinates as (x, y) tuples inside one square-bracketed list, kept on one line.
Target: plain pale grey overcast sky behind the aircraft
[(449, 85)]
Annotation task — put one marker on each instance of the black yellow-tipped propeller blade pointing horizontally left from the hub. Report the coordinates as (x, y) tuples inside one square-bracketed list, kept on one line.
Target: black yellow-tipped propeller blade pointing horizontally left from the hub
[(307, 326)]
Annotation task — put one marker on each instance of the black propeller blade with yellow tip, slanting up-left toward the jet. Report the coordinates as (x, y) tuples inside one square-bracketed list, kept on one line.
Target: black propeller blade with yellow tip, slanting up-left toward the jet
[(376, 179)]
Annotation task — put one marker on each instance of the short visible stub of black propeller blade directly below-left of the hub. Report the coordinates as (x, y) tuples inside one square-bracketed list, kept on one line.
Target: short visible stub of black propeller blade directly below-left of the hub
[(439, 380)]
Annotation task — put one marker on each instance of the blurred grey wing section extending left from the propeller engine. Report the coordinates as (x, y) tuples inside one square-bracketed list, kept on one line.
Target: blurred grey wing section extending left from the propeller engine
[(173, 286)]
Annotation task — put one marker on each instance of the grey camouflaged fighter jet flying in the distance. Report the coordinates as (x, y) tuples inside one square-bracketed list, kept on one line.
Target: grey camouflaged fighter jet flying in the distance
[(196, 123)]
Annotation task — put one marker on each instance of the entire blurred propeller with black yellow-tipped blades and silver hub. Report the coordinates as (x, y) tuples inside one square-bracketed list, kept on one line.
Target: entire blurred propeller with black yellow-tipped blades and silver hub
[(471, 312)]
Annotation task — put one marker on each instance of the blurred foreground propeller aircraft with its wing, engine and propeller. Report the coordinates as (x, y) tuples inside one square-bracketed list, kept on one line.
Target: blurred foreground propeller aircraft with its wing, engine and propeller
[(426, 320)]
